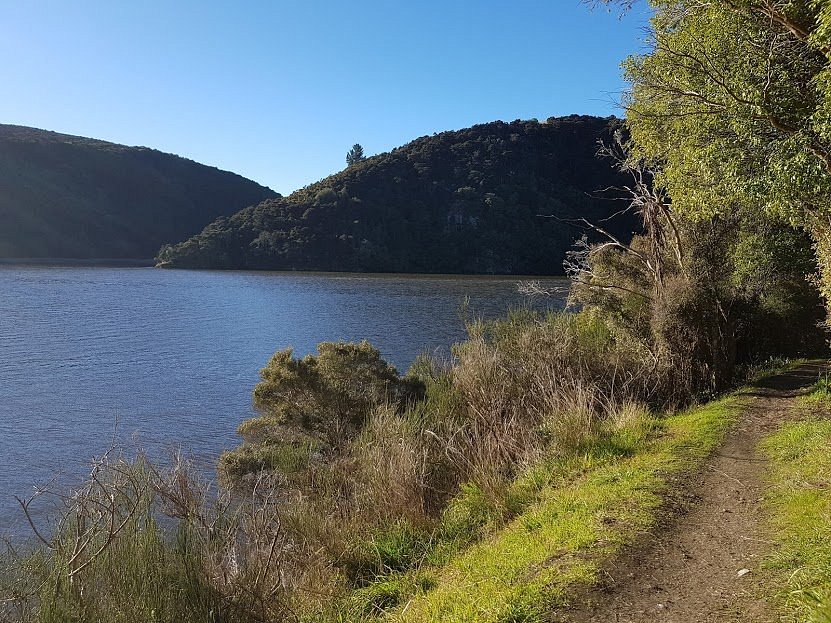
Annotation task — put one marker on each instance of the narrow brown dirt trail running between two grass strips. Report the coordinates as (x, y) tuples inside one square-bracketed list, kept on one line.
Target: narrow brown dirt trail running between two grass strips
[(688, 570)]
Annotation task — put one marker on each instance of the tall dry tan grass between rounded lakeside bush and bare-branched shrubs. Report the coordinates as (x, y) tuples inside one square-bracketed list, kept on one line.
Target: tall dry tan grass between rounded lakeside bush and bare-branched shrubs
[(531, 387)]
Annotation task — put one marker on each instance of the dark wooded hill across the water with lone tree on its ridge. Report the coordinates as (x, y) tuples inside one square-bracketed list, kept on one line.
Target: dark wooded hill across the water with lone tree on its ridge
[(457, 202)]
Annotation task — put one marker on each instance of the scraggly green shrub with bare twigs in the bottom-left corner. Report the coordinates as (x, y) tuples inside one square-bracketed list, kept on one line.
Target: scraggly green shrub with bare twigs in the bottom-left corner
[(135, 538)]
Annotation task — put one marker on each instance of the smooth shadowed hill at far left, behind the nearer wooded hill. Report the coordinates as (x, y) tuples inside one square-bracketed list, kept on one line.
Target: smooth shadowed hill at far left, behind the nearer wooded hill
[(66, 196)]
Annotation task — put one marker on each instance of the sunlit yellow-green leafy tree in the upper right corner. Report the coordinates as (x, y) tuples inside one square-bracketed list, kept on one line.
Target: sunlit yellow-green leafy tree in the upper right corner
[(733, 107)]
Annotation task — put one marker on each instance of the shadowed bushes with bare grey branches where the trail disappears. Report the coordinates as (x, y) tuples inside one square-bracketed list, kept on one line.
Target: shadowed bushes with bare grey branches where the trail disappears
[(702, 297)]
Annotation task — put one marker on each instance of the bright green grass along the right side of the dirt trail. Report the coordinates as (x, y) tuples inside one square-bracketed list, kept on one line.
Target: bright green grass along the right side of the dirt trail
[(799, 509)]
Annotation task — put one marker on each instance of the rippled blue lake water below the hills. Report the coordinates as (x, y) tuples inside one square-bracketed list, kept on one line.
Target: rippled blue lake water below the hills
[(162, 359)]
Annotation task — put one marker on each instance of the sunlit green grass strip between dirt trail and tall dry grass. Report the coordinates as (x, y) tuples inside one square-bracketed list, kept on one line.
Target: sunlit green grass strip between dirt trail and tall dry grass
[(575, 517)]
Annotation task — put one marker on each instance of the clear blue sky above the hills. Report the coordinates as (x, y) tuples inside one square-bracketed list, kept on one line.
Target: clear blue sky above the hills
[(279, 91)]
